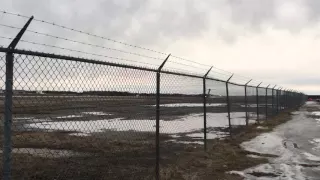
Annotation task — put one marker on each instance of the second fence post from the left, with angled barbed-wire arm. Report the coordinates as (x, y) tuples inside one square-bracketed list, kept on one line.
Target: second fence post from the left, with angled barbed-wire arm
[(158, 120)]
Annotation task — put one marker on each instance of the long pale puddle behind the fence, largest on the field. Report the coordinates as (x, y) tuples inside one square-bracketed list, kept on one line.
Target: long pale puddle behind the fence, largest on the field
[(185, 124)]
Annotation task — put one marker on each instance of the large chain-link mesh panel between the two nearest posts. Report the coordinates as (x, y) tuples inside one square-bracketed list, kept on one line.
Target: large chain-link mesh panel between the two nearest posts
[(81, 120)]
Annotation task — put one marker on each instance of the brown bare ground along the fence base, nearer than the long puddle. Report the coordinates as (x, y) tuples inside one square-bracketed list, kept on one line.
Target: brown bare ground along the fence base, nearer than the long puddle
[(132, 155)]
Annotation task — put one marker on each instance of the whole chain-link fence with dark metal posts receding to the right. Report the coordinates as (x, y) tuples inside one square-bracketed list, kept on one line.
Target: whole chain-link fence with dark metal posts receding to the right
[(76, 118)]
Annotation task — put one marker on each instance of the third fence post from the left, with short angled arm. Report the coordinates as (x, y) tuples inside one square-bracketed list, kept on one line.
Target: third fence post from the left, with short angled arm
[(205, 110)]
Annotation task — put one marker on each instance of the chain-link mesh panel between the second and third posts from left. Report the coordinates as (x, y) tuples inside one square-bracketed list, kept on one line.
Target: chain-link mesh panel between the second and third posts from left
[(181, 120)]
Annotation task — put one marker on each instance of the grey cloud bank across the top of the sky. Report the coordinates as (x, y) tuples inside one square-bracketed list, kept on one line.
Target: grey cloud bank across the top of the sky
[(172, 19)]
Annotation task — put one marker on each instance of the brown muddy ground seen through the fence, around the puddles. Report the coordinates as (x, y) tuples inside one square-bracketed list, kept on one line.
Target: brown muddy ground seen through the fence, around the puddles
[(47, 154)]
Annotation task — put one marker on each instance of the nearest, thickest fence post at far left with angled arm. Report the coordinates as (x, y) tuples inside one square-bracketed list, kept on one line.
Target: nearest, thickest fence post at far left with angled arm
[(7, 132)]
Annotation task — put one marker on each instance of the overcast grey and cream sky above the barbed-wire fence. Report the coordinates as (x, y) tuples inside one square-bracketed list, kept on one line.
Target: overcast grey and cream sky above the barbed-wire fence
[(274, 41)]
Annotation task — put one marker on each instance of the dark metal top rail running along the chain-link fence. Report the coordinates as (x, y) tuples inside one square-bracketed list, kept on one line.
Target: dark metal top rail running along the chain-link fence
[(92, 61)]
